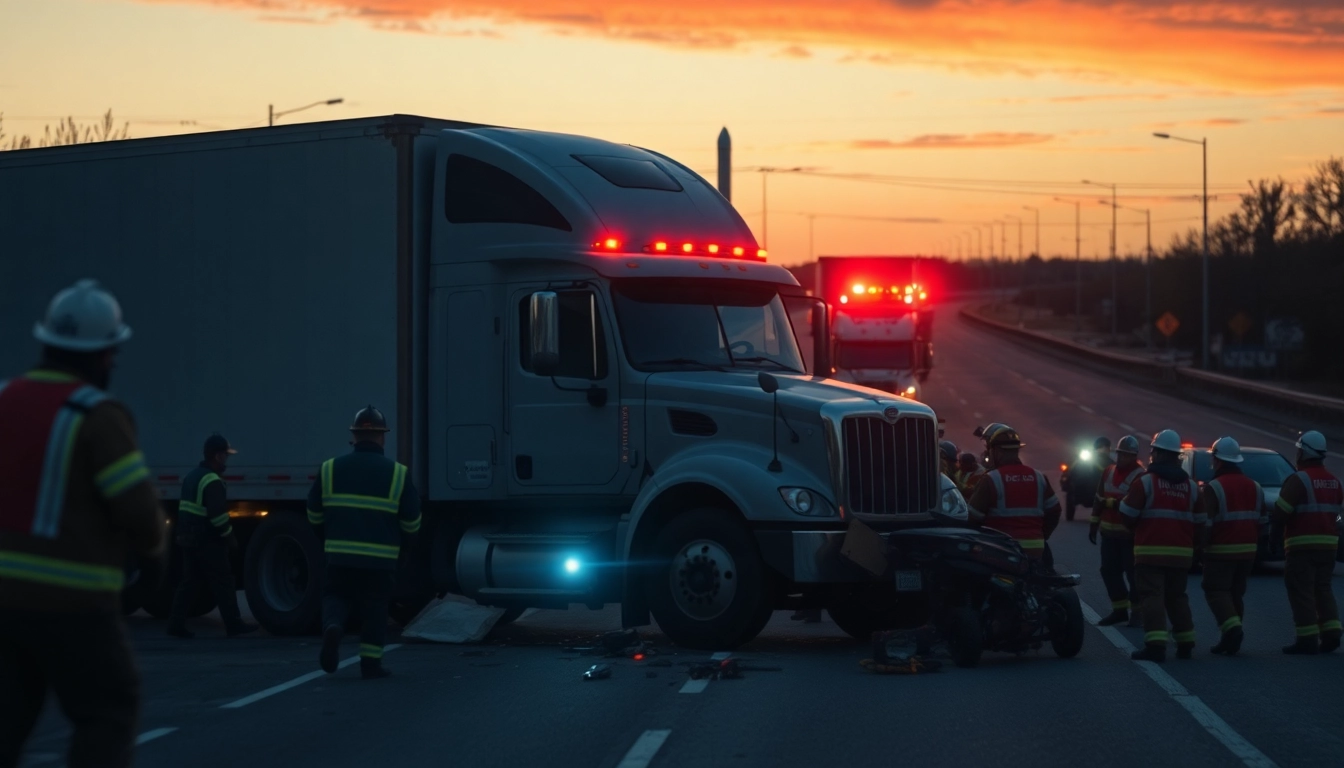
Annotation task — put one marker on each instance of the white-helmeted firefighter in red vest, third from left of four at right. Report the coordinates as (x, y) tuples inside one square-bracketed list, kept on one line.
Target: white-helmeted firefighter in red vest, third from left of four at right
[(1236, 509)]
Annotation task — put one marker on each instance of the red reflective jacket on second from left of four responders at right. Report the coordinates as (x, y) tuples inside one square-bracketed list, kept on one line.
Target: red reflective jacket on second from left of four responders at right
[(1165, 519)]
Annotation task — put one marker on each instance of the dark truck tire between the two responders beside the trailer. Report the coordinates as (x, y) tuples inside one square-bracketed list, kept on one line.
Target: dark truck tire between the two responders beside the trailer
[(283, 574)]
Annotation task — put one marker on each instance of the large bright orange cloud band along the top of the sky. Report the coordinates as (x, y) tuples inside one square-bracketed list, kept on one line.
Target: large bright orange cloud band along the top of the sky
[(1243, 45)]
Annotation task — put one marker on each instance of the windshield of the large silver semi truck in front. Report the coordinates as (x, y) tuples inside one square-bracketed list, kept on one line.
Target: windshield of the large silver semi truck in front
[(670, 325)]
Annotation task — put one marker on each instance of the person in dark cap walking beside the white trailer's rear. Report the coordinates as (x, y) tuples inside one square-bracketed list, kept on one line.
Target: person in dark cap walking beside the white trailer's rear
[(206, 539)]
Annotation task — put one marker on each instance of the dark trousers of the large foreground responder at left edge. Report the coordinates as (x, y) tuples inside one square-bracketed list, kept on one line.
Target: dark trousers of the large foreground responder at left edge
[(87, 662)]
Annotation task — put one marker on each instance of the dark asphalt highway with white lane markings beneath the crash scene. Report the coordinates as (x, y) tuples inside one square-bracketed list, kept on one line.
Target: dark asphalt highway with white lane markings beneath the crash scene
[(519, 700)]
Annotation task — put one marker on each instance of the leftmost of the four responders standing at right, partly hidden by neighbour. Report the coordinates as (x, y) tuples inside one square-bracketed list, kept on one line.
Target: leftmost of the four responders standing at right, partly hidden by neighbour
[(1118, 543)]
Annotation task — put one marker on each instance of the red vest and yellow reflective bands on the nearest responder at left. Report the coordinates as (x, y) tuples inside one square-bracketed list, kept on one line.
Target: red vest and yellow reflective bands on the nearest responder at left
[(42, 414)]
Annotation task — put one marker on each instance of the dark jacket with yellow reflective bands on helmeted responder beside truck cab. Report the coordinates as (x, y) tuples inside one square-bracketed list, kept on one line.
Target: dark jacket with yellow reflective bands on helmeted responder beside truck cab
[(365, 504)]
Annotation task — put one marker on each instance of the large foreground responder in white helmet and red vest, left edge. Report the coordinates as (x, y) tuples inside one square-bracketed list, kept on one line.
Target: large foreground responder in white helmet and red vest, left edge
[(76, 505)]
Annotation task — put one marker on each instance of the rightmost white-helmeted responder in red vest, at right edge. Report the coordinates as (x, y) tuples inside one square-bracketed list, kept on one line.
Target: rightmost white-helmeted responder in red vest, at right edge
[(1308, 506)]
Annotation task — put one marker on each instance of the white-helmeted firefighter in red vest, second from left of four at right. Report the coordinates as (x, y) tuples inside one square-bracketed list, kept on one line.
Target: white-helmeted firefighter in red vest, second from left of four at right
[(1162, 509)]
